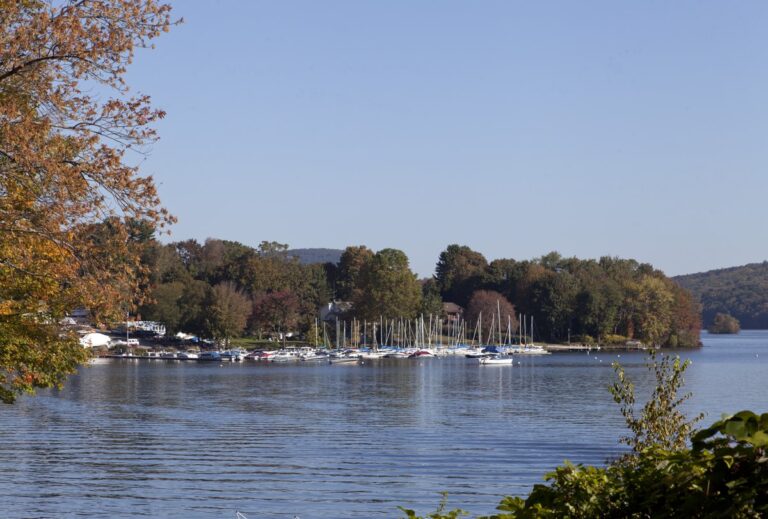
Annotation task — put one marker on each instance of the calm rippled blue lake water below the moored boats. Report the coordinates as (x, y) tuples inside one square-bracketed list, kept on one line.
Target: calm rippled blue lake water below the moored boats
[(163, 439)]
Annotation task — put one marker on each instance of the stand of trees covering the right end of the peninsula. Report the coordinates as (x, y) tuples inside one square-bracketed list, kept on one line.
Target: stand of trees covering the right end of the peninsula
[(578, 297)]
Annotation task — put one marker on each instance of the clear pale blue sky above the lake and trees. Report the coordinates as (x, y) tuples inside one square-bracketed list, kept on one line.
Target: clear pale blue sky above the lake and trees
[(636, 129)]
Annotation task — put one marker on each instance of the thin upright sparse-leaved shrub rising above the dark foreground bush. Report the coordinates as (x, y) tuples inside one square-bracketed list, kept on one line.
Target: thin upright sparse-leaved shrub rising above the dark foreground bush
[(660, 423)]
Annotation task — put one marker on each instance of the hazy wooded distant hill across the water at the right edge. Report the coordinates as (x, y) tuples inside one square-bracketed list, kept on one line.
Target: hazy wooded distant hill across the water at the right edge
[(739, 291)]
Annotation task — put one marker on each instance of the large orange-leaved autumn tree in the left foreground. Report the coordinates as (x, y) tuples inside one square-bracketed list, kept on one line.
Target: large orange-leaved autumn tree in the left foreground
[(65, 164)]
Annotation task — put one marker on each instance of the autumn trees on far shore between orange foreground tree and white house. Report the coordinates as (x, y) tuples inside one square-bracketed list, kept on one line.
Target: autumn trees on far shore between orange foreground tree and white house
[(255, 273)]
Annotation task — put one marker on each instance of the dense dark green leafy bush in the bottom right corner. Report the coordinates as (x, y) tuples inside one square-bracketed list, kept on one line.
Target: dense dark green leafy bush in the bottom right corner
[(724, 474)]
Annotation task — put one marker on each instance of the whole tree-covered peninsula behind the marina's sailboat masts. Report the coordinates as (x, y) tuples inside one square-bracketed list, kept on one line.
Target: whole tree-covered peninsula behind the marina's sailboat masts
[(224, 288)]
